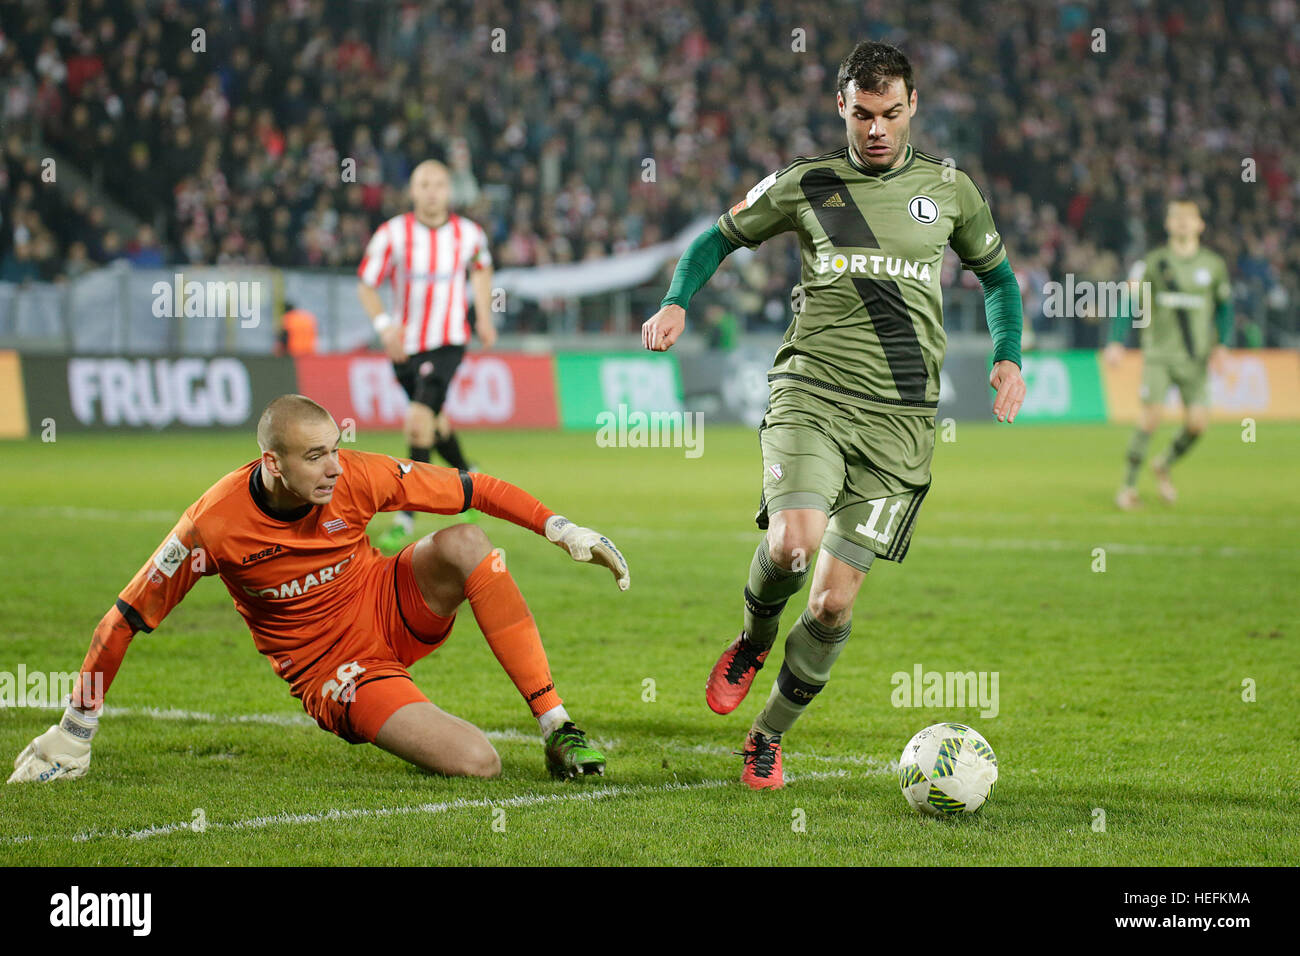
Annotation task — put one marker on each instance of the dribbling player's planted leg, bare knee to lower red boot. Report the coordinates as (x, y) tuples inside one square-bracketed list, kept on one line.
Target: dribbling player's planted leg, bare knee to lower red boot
[(812, 650)]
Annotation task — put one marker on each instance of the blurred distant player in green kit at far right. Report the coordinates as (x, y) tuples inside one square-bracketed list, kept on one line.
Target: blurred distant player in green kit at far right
[(1189, 297)]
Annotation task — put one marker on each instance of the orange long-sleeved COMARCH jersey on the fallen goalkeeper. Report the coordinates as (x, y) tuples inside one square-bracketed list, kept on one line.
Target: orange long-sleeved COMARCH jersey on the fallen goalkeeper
[(293, 579)]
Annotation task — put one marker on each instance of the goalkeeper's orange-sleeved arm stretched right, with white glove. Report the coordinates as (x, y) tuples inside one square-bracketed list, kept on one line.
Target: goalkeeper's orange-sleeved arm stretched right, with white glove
[(421, 487)]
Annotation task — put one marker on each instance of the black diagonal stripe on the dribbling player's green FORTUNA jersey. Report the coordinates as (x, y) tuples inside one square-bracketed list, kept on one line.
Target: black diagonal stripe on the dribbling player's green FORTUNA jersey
[(847, 228)]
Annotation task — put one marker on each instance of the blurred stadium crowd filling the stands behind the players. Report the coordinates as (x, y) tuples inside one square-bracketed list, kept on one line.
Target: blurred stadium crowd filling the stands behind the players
[(283, 133)]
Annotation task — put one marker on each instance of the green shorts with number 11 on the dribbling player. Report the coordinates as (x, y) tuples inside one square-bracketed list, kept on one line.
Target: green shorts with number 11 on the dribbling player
[(868, 470)]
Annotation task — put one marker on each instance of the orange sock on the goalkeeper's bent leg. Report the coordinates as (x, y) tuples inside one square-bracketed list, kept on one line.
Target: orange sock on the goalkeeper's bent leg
[(512, 633)]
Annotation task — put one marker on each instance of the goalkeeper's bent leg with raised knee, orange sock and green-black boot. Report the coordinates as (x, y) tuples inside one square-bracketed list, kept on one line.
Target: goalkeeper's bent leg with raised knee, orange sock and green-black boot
[(460, 564)]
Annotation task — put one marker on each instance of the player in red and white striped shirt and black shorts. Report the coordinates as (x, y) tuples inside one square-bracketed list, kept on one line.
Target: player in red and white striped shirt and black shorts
[(427, 256)]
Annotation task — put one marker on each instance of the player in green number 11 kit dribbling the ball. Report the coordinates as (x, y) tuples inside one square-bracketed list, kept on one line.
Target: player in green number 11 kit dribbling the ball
[(850, 432)]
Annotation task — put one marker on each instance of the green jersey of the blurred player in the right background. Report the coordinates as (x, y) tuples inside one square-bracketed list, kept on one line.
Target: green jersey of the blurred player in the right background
[(1184, 296)]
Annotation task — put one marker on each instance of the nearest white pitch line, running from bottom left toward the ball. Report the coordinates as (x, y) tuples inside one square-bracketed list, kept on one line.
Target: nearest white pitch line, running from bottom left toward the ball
[(445, 807)]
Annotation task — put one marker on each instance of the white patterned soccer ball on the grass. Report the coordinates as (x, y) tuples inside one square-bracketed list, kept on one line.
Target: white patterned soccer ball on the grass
[(947, 769)]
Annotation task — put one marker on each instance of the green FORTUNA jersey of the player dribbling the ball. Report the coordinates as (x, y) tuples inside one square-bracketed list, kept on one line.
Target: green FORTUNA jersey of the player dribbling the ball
[(869, 315)]
